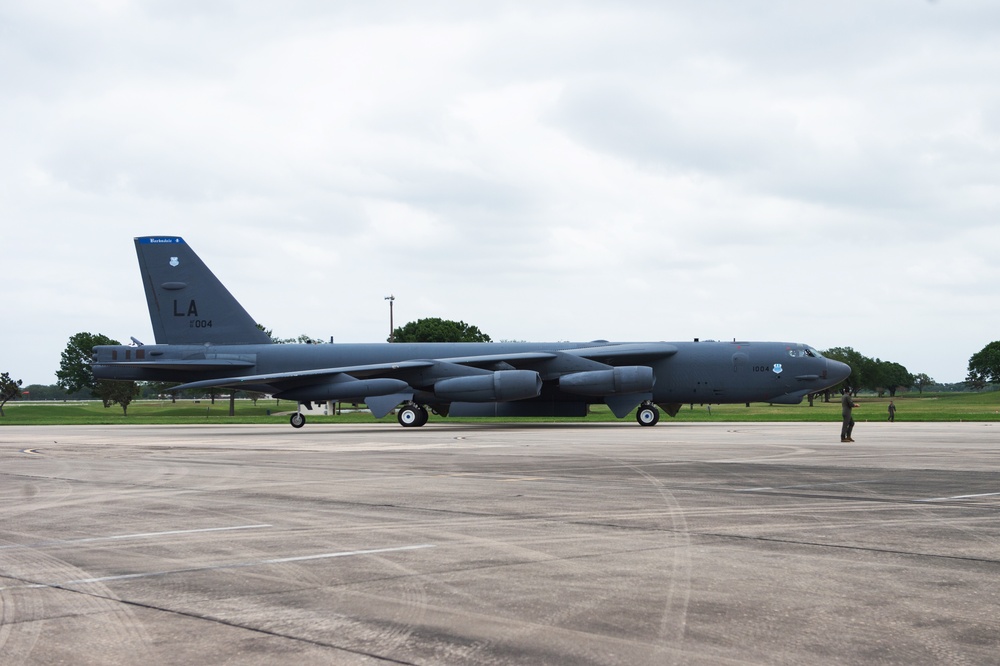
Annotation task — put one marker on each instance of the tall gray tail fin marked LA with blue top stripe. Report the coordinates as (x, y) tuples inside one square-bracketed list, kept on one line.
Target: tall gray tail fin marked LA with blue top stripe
[(187, 303)]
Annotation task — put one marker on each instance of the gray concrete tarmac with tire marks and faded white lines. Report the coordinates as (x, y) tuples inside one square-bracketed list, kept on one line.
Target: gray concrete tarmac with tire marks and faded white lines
[(500, 544)]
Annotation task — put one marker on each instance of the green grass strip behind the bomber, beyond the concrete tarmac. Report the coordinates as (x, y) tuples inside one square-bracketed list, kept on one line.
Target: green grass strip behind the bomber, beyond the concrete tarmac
[(911, 407)]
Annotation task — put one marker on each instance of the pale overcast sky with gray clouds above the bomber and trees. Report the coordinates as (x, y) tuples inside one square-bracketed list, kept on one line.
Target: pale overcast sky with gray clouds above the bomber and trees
[(826, 173)]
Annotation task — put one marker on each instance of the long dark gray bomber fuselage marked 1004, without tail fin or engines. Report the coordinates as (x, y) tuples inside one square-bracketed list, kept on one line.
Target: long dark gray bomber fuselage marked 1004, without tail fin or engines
[(707, 372)]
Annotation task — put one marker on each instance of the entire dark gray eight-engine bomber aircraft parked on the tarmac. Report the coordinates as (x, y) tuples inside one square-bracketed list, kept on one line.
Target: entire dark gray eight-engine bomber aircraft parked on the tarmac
[(204, 338)]
